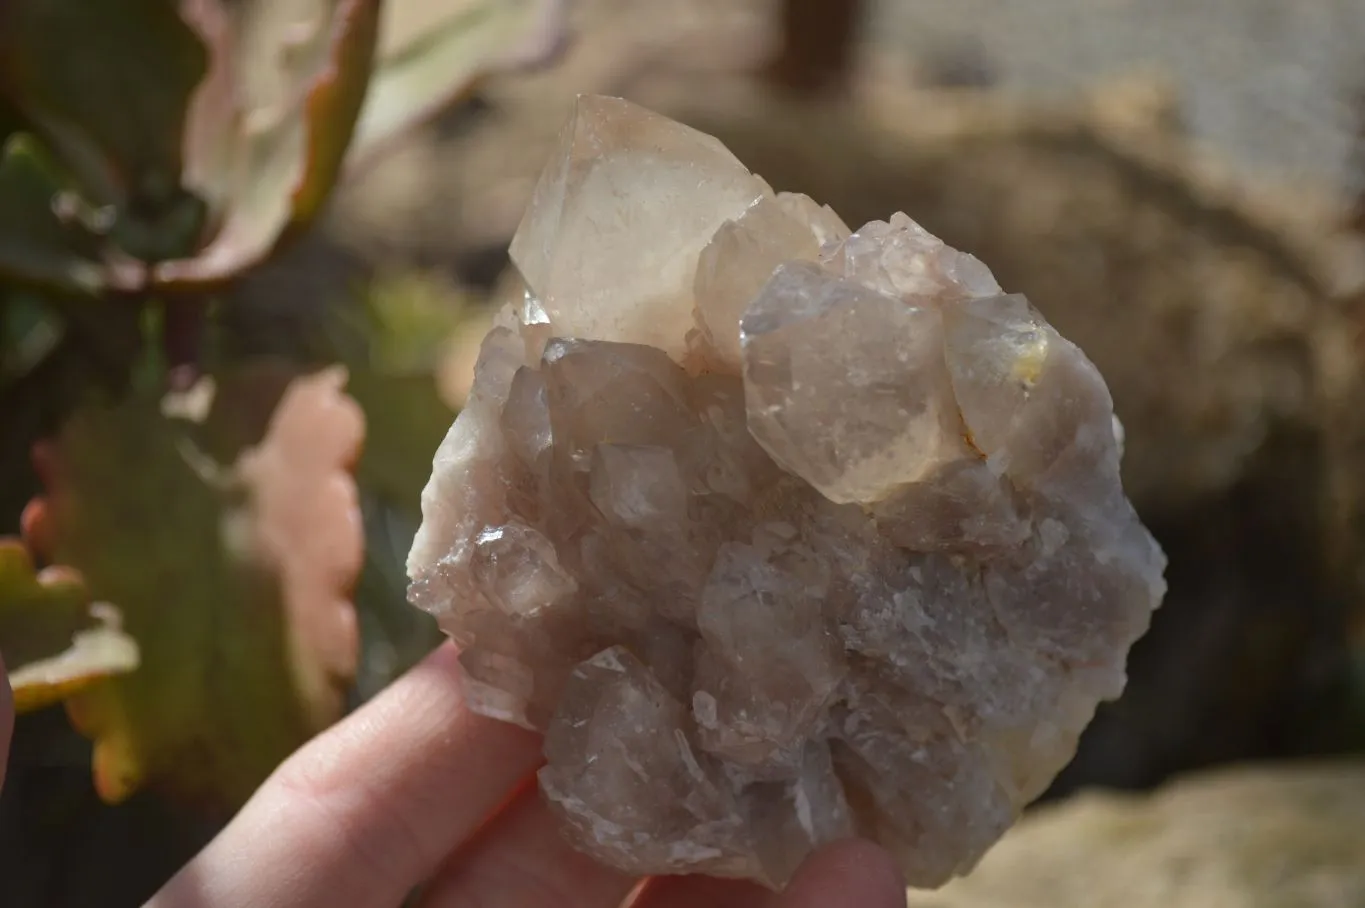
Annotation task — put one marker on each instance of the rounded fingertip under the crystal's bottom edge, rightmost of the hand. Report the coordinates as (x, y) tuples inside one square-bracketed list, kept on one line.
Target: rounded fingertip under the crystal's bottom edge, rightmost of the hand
[(854, 873)]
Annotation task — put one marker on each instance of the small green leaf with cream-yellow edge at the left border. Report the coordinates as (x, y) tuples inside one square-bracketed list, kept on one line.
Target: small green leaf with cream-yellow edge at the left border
[(54, 641)]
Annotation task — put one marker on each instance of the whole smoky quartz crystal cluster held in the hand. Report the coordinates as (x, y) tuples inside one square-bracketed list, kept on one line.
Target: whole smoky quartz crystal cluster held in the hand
[(780, 533)]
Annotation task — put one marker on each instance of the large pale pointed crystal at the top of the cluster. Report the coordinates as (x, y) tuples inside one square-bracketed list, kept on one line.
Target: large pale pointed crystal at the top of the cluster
[(611, 241)]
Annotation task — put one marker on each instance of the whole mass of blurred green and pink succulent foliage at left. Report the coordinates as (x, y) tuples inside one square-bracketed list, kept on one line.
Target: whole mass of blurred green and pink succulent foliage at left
[(205, 563)]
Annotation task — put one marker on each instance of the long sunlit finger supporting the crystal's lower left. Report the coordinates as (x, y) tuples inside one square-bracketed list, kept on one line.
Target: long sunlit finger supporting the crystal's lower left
[(368, 809)]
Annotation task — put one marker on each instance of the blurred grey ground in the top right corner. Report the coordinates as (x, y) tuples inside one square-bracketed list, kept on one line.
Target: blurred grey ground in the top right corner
[(1273, 84)]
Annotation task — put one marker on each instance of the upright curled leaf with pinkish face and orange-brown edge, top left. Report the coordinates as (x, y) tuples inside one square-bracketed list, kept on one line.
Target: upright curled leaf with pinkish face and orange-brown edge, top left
[(270, 126)]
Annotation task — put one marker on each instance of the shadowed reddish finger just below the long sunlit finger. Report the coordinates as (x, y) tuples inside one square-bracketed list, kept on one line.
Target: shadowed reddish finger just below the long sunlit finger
[(521, 861)]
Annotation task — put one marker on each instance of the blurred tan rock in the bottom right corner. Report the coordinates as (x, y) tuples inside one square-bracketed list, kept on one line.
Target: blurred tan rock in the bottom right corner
[(1239, 839)]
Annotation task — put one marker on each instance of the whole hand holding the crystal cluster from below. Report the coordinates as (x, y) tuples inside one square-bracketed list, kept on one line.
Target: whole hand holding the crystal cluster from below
[(416, 790)]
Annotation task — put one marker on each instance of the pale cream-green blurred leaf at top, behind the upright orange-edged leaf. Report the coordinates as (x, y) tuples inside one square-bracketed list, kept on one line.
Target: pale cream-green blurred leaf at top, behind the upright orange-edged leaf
[(432, 51)]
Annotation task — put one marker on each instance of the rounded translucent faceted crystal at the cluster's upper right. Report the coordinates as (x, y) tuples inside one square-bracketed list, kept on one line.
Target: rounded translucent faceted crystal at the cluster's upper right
[(895, 421)]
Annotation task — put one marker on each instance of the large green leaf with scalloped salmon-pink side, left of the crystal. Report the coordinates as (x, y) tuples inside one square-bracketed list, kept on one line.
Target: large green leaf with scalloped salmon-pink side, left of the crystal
[(233, 576)]
